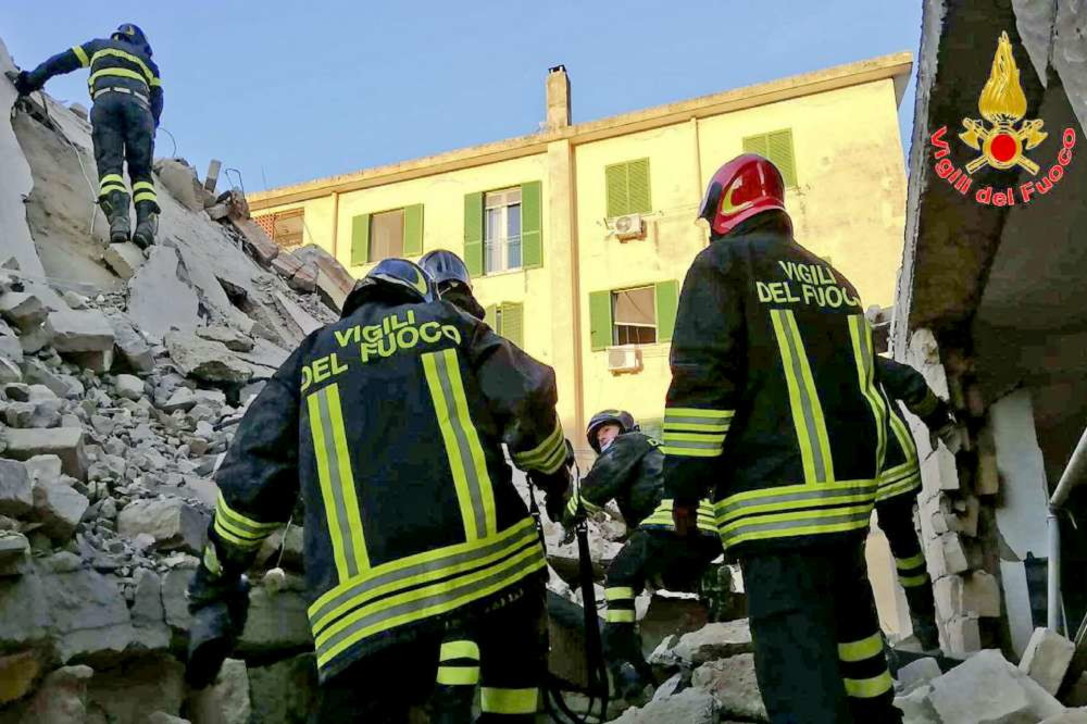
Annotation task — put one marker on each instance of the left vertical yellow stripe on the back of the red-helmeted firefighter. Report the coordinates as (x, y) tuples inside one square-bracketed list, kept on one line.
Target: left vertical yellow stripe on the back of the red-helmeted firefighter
[(804, 400)]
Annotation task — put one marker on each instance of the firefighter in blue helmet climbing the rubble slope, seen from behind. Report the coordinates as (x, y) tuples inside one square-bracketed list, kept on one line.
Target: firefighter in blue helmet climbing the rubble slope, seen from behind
[(127, 92)]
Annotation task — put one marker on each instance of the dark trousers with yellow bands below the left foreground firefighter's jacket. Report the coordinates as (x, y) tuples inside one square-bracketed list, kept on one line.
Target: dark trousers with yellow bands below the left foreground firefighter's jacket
[(504, 651)]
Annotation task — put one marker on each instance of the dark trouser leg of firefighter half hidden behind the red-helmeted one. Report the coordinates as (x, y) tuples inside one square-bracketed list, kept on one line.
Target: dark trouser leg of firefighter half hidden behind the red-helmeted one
[(896, 520)]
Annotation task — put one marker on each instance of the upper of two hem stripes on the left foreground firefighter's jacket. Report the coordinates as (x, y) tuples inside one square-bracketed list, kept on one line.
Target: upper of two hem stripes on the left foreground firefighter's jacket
[(410, 575)]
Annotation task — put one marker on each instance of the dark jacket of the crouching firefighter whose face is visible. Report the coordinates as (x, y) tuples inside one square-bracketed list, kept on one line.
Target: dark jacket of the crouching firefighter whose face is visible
[(631, 473)]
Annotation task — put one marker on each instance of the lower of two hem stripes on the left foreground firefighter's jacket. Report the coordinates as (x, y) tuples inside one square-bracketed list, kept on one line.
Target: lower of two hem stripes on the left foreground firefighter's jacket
[(447, 596)]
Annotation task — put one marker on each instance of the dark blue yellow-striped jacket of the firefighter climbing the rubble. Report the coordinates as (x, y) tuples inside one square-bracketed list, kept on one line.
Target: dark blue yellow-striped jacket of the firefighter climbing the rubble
[(115, 65)]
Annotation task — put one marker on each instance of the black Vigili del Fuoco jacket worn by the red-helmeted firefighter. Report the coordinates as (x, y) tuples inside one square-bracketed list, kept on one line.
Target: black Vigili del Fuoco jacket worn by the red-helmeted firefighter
[(773, 402)]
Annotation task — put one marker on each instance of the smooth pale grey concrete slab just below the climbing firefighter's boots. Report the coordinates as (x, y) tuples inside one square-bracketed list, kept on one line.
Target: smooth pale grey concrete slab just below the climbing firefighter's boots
[(159, 280)]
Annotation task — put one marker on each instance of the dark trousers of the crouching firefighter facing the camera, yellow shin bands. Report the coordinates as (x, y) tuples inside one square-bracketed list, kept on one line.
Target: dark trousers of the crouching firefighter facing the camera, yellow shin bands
[(657, 557)]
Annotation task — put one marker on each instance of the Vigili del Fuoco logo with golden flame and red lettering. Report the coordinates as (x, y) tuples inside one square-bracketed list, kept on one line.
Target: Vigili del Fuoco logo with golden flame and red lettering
[(1003, 138)]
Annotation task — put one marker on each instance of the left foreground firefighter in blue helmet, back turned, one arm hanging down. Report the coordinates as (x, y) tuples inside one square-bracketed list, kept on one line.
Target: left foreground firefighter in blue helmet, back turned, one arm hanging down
[(392, 423)]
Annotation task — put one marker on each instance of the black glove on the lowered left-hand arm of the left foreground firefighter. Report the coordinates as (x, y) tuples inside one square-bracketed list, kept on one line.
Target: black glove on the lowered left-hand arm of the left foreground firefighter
[(220, 607)]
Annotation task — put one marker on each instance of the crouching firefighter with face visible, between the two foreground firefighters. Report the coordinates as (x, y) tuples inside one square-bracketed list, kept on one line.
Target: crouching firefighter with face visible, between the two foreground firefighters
[(629, 471)]
